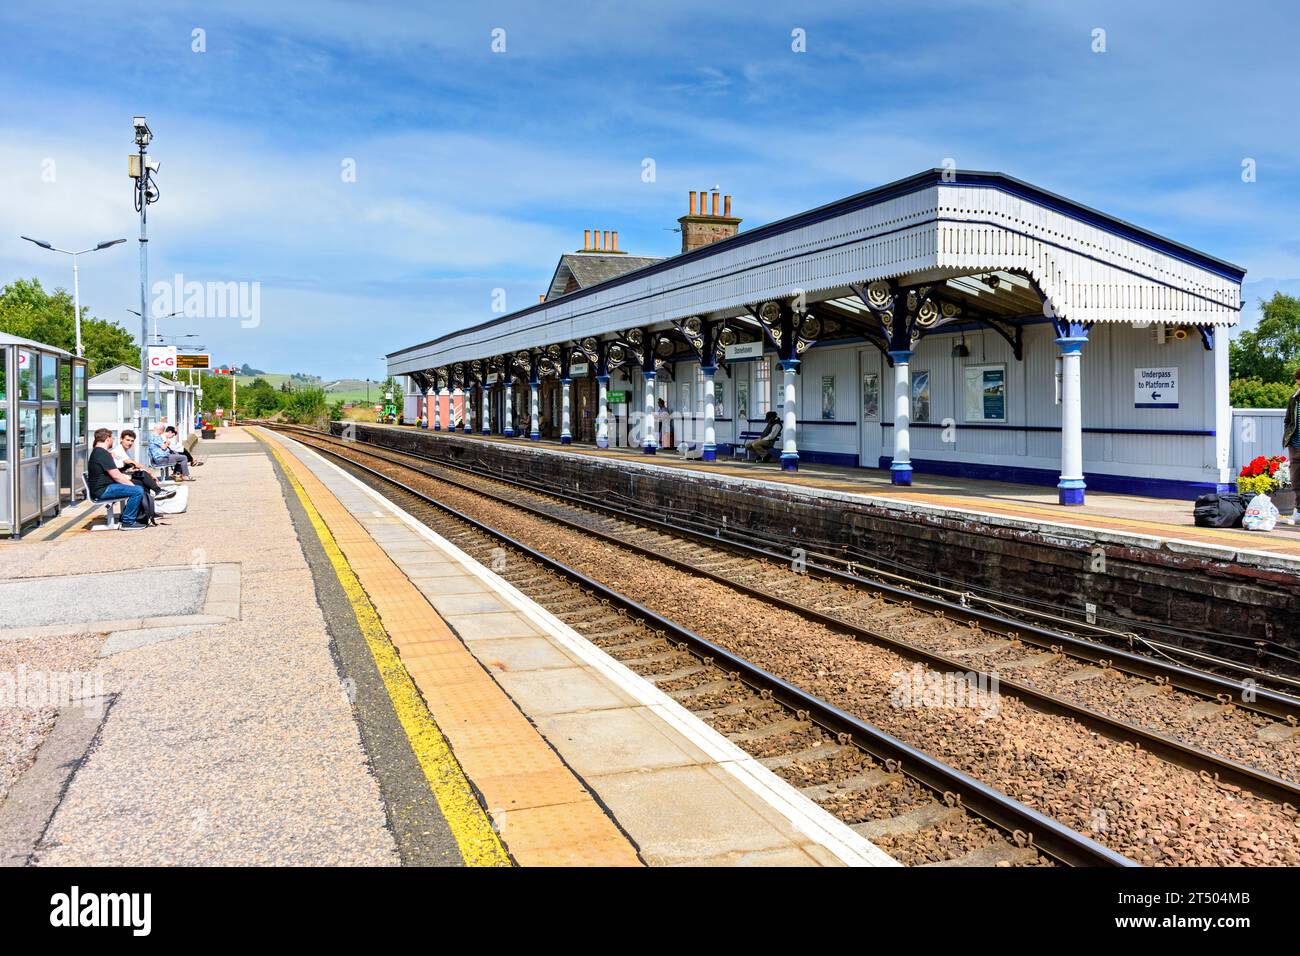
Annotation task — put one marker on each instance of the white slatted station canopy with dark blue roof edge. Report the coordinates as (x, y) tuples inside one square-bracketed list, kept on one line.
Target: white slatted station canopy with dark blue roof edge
[(983, 249)]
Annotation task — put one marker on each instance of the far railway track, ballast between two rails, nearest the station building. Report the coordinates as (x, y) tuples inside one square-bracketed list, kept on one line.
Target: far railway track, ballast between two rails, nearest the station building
[(1246, 736)]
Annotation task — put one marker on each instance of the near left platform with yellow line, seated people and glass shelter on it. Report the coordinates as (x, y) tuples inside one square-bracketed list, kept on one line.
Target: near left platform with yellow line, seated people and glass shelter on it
[(297, 672)]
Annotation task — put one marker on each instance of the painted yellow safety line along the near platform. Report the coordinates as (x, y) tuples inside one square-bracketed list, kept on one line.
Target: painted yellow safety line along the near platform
[(467, 820)]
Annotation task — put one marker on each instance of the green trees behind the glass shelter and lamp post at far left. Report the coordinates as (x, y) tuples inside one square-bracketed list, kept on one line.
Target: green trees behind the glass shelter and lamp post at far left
[(29, 312)]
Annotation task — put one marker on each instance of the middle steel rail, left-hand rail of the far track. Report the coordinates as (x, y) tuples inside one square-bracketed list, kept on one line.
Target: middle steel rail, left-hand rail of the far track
[(1171, 750)]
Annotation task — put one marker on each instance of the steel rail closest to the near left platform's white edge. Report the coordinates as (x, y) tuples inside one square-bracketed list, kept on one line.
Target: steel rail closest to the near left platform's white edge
[(1012, 817)]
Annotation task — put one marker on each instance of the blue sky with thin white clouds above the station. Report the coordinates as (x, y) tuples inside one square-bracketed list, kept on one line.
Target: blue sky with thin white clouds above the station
[(476, 170)]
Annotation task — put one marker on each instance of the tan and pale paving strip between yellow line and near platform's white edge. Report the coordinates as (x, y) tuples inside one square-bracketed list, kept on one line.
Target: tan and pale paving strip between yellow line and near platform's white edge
[(496, 668)]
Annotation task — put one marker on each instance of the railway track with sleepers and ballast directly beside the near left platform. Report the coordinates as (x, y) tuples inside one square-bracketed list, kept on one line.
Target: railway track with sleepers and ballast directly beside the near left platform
[(913, 807)]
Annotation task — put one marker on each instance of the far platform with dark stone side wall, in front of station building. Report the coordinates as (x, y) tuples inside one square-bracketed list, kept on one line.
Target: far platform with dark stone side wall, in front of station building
[(1134, 566)]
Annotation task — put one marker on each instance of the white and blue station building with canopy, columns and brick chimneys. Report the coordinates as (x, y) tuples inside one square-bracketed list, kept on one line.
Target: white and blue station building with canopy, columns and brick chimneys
[(954, 323)]
